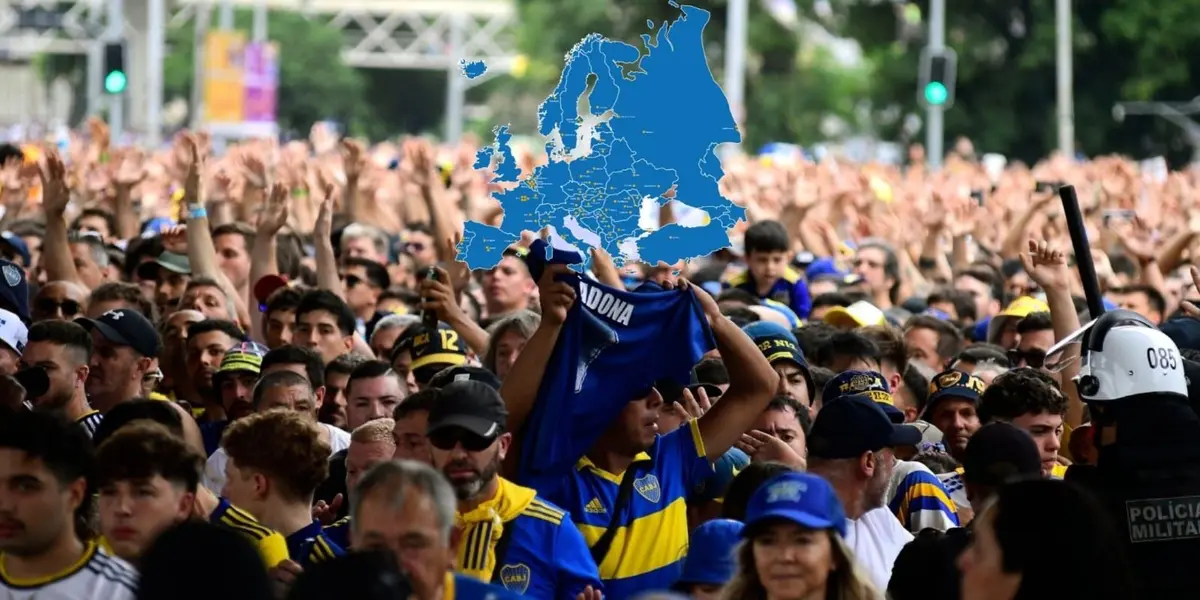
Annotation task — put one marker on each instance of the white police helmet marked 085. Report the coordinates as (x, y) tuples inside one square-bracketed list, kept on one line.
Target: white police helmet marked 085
[(1125, 356)]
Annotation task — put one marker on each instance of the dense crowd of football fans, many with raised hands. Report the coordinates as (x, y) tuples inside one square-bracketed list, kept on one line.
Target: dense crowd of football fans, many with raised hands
[(266, 375)]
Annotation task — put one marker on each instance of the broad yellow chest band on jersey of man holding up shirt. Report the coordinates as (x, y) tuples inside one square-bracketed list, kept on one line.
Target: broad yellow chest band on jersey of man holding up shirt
[(658, 541)]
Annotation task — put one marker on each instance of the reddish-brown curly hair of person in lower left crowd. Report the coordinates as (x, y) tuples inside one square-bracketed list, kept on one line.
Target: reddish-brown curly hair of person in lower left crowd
[(297, 459)]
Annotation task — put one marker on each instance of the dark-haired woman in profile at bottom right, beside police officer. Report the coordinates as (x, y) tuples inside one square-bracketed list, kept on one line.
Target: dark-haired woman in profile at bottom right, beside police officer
[(1034, 536)]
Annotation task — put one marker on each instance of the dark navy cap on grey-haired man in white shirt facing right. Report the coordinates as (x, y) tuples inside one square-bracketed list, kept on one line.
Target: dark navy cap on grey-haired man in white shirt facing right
[(854, 425)]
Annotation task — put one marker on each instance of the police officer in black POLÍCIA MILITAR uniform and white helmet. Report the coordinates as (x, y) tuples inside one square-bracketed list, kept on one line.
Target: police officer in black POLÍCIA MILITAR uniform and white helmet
[(1148, 439)]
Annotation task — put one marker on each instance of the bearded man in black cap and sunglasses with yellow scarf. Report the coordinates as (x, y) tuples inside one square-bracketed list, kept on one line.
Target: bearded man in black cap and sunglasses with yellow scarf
[(511, 537)]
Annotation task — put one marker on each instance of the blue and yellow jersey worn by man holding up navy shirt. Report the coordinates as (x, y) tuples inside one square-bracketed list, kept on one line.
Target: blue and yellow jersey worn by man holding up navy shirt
[(651, 543)]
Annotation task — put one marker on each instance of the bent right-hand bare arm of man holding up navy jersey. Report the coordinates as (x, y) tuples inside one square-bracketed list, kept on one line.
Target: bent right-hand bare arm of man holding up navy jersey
[(752, 382)]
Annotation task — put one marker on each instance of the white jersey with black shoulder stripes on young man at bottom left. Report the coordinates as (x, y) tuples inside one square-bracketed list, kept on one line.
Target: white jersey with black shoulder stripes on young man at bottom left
[(97, 577)]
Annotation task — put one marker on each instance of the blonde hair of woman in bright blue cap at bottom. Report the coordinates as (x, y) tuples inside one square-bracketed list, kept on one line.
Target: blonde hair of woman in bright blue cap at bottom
[(848, 581)]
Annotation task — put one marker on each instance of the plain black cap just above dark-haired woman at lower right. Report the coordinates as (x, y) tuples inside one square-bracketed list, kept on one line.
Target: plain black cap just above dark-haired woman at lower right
[(998, 453)]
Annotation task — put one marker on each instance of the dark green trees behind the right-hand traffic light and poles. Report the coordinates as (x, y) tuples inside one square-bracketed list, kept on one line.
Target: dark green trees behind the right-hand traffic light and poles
[(1124, 51)]
